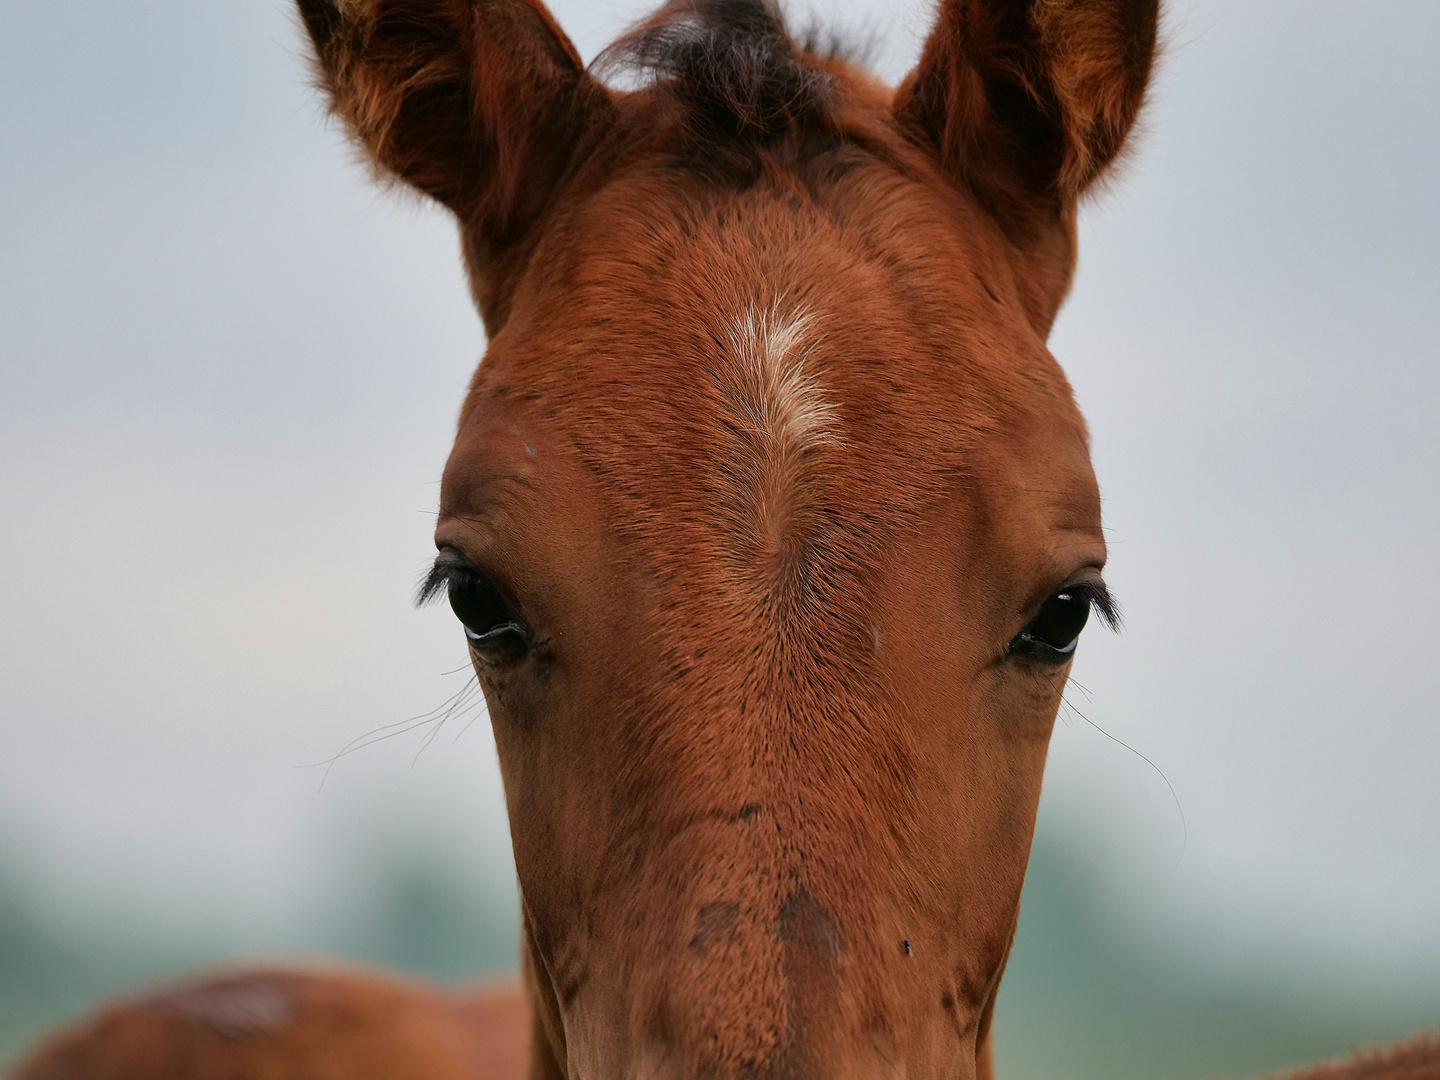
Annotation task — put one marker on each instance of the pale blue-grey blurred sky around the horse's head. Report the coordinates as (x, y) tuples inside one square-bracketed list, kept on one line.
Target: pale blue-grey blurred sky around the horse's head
[(228, 381)]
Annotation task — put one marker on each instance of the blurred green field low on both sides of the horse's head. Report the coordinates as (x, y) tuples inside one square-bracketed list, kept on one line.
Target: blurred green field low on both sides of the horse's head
[(1086, 996)]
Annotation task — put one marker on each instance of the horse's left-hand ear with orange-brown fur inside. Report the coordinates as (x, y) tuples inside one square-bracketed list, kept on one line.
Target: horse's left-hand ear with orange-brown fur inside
[(477, 103)]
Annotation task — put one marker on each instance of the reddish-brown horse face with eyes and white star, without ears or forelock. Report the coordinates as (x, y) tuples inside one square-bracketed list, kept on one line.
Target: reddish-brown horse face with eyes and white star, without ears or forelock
[(773, 731)]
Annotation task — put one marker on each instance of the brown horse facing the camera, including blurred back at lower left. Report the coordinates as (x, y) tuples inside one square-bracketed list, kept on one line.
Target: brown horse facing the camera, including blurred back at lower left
[(771, 526)]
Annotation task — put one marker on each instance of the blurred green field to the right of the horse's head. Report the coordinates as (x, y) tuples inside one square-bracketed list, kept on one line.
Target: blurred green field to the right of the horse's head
[(1088, 997)]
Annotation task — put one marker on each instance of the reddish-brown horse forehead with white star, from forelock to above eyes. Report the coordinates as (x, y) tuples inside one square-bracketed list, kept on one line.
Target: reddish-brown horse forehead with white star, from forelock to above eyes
[(751, 356)]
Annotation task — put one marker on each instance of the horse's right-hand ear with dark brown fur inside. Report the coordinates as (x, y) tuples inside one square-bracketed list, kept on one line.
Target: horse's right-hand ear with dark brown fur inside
[(1027, 103)]
